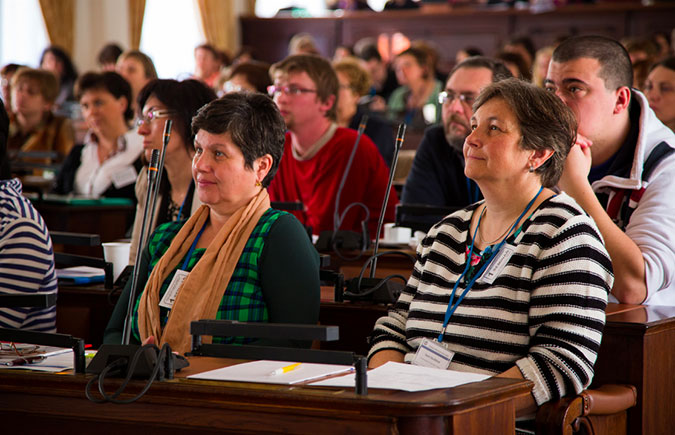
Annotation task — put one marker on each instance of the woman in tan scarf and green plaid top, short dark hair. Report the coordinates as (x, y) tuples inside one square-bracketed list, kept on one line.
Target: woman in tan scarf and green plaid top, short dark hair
[(235, 258)]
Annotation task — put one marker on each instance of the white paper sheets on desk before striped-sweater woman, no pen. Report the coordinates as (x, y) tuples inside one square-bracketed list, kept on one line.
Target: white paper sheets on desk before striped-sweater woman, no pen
[(407, 377)]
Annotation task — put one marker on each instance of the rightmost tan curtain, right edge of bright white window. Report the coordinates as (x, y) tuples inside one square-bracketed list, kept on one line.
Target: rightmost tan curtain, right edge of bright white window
[(219, 22)]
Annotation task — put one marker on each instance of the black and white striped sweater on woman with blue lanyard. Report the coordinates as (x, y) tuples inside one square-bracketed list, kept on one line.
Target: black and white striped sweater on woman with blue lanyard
[(544, 312)]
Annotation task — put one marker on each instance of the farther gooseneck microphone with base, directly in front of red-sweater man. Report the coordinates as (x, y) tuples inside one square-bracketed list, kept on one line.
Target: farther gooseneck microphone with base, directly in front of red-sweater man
[(348, 240)]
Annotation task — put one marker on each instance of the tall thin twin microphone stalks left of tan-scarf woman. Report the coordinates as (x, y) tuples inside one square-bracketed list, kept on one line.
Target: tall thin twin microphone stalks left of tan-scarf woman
[(154, 169)]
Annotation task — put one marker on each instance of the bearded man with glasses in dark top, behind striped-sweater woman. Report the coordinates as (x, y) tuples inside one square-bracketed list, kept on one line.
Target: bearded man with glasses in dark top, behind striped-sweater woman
[(437, 174)]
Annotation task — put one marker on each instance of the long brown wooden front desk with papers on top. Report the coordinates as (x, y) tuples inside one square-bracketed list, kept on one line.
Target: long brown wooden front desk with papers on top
[(47, 403)]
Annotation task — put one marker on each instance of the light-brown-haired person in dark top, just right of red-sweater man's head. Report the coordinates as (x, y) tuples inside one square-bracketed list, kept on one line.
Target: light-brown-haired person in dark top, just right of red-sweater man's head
[(354, 83)]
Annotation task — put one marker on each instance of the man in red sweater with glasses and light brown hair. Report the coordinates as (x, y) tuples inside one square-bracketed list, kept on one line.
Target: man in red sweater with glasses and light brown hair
[(316, 152)]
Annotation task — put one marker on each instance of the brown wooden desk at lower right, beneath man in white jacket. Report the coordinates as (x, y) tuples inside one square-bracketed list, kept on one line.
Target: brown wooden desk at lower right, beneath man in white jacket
[(638, 348)]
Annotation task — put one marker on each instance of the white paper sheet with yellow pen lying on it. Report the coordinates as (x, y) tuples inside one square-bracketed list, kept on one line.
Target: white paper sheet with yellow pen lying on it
[(260, 371)]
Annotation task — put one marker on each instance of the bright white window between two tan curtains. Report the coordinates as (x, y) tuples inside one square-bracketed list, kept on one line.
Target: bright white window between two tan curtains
[(171, 31)]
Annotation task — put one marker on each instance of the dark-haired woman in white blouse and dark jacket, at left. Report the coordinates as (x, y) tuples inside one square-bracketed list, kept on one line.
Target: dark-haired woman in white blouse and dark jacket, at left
[(107, 164)]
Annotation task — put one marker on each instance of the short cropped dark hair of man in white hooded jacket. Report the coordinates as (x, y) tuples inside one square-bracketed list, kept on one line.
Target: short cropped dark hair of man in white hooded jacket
[(615, 65)]
